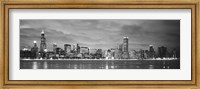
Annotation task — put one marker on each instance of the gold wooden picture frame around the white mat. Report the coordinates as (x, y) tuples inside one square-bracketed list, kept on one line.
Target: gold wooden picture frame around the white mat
[(104, 84)]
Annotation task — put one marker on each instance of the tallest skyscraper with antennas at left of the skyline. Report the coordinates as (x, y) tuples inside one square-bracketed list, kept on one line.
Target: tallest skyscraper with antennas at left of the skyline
[(43, 44)]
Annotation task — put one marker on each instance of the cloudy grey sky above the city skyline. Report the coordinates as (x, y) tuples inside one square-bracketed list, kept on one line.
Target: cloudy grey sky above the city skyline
[(102, 33)]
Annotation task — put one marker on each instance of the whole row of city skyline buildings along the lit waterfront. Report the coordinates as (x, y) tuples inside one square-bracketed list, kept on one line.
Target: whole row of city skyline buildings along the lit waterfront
[(79, 52)]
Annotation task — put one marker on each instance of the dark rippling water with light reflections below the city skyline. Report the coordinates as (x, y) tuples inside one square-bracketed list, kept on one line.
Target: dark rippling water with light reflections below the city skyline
[(100, 64)]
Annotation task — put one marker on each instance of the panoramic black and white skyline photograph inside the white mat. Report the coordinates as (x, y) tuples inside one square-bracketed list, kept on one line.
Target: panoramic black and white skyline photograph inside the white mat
[(99, 44)]
